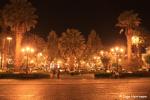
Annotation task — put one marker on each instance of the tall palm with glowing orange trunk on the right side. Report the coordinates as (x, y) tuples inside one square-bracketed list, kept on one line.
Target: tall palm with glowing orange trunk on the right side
[(128, 21)]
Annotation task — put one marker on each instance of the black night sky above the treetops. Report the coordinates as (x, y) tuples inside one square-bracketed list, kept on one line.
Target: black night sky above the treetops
[(86, 15)]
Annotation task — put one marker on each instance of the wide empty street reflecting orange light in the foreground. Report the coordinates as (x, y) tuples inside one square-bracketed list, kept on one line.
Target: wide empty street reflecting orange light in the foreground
[(75, 89)]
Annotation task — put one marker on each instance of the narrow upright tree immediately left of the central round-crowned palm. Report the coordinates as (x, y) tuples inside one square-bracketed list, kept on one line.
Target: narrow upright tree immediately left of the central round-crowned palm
[(52, 46)]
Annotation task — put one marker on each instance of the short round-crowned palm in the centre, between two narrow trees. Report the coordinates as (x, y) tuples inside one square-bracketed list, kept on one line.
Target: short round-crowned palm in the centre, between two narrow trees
[(71, 46)]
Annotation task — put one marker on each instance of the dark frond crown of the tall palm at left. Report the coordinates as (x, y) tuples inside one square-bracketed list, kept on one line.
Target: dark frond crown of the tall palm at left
[(19, 13)]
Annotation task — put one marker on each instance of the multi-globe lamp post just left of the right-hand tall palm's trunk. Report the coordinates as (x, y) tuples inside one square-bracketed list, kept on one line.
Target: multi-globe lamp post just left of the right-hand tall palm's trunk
[(117, 51)]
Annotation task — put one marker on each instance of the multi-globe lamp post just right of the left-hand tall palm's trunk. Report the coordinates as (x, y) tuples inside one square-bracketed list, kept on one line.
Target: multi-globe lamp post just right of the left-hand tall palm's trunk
[(27, 51)]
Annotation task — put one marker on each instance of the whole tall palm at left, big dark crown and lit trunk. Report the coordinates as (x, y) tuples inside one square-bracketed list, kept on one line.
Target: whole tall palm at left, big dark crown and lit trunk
[(20, 16)]
